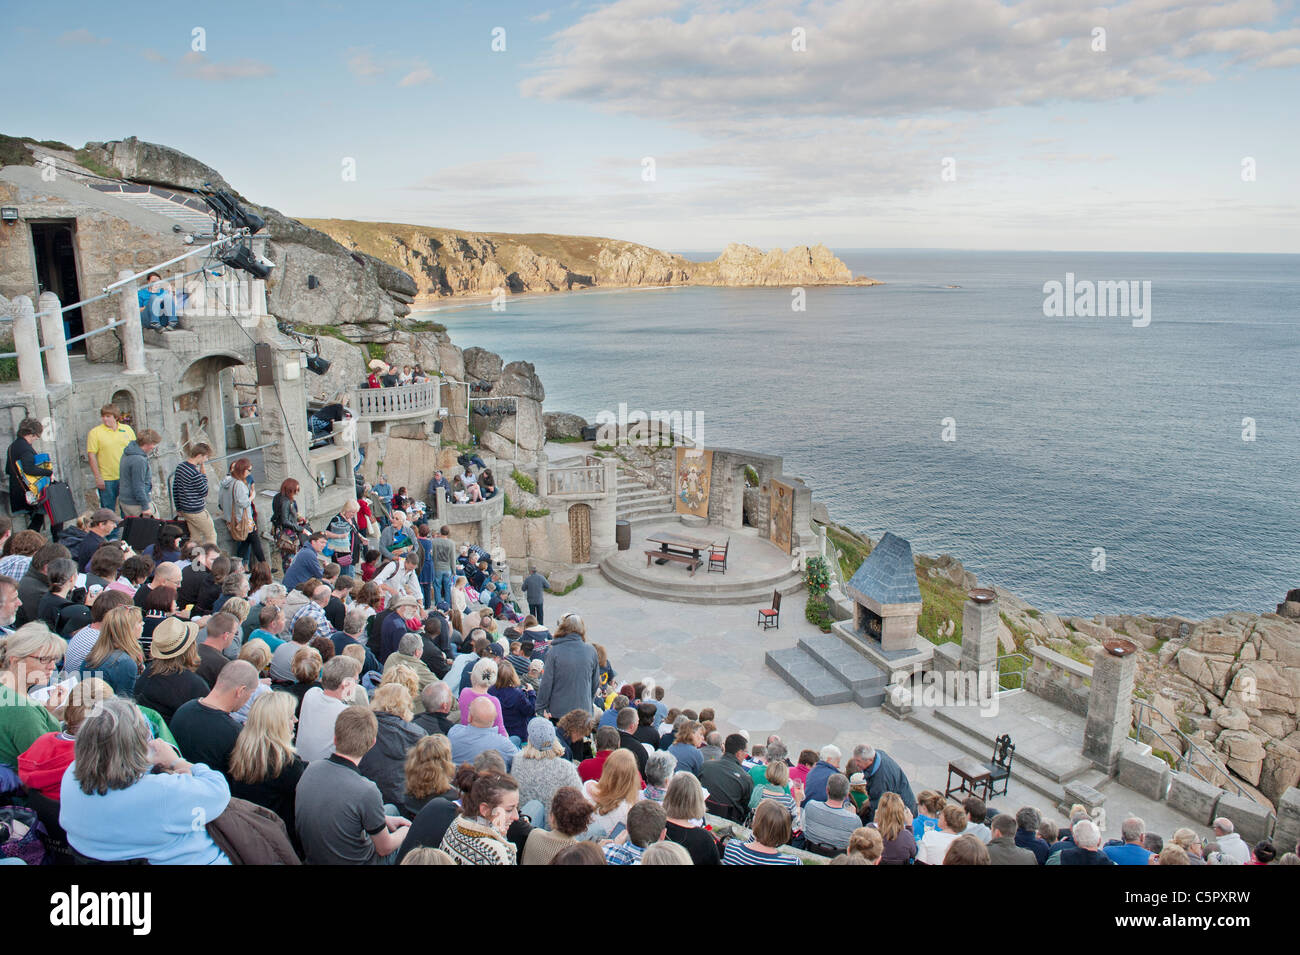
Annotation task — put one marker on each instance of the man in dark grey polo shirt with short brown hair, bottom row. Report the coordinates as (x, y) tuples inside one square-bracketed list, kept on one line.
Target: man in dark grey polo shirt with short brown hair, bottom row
[(340, 815)]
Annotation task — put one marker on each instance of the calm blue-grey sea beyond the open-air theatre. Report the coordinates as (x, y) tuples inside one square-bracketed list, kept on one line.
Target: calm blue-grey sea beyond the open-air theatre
[(1072, 435)]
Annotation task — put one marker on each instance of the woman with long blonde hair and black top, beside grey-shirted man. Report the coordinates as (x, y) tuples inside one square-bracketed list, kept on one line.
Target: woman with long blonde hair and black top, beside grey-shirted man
[(265, 767)]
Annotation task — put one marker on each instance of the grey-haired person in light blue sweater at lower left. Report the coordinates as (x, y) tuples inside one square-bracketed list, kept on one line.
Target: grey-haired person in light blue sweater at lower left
[(115, 809)]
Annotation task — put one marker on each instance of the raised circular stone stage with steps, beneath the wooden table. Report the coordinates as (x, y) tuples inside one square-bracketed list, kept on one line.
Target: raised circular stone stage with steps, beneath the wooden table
[(755, 568)]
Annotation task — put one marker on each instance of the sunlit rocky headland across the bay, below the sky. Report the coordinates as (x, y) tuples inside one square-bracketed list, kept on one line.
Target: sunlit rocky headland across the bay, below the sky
[(449, 263)]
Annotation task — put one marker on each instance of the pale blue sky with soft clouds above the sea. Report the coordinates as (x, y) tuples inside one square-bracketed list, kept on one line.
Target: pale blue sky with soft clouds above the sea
[(879, 124)]
